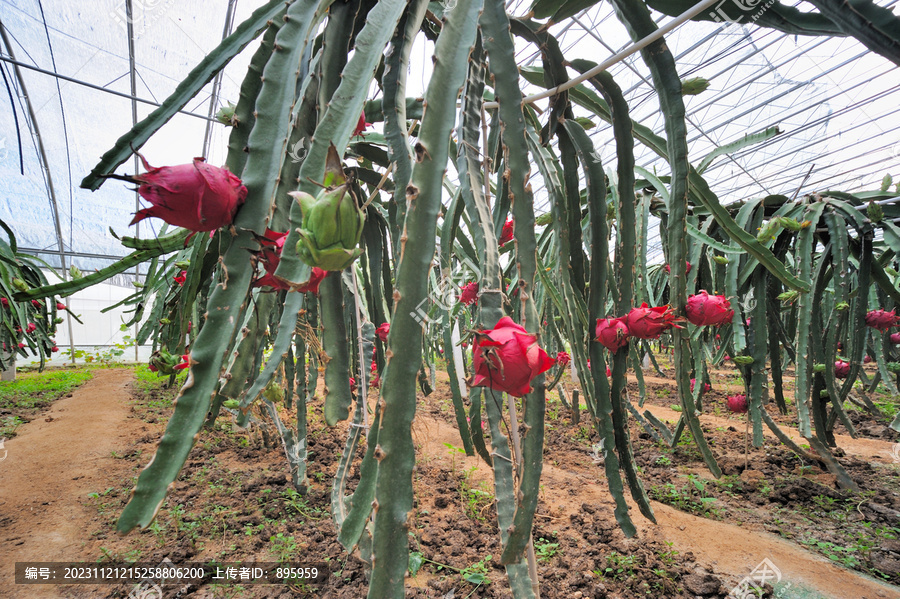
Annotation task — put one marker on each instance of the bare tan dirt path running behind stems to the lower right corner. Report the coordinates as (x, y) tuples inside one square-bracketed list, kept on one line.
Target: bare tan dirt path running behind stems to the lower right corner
[(733, 551)]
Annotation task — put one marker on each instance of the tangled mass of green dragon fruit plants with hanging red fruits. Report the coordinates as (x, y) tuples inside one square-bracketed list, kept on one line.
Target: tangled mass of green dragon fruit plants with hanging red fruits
[(308, 255)]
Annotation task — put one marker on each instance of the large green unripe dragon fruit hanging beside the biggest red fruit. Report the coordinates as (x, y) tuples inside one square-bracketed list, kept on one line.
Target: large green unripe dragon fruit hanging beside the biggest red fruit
[(332, 221)]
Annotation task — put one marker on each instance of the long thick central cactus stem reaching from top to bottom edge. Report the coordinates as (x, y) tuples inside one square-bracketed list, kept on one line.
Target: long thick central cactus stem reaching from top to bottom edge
[(395, 453)]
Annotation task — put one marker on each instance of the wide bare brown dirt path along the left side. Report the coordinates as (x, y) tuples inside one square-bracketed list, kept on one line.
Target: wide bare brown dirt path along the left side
[(51, 466)]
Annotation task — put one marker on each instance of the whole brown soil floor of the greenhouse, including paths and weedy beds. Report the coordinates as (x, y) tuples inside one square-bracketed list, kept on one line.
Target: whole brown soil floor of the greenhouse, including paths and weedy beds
[(69, 472)]
